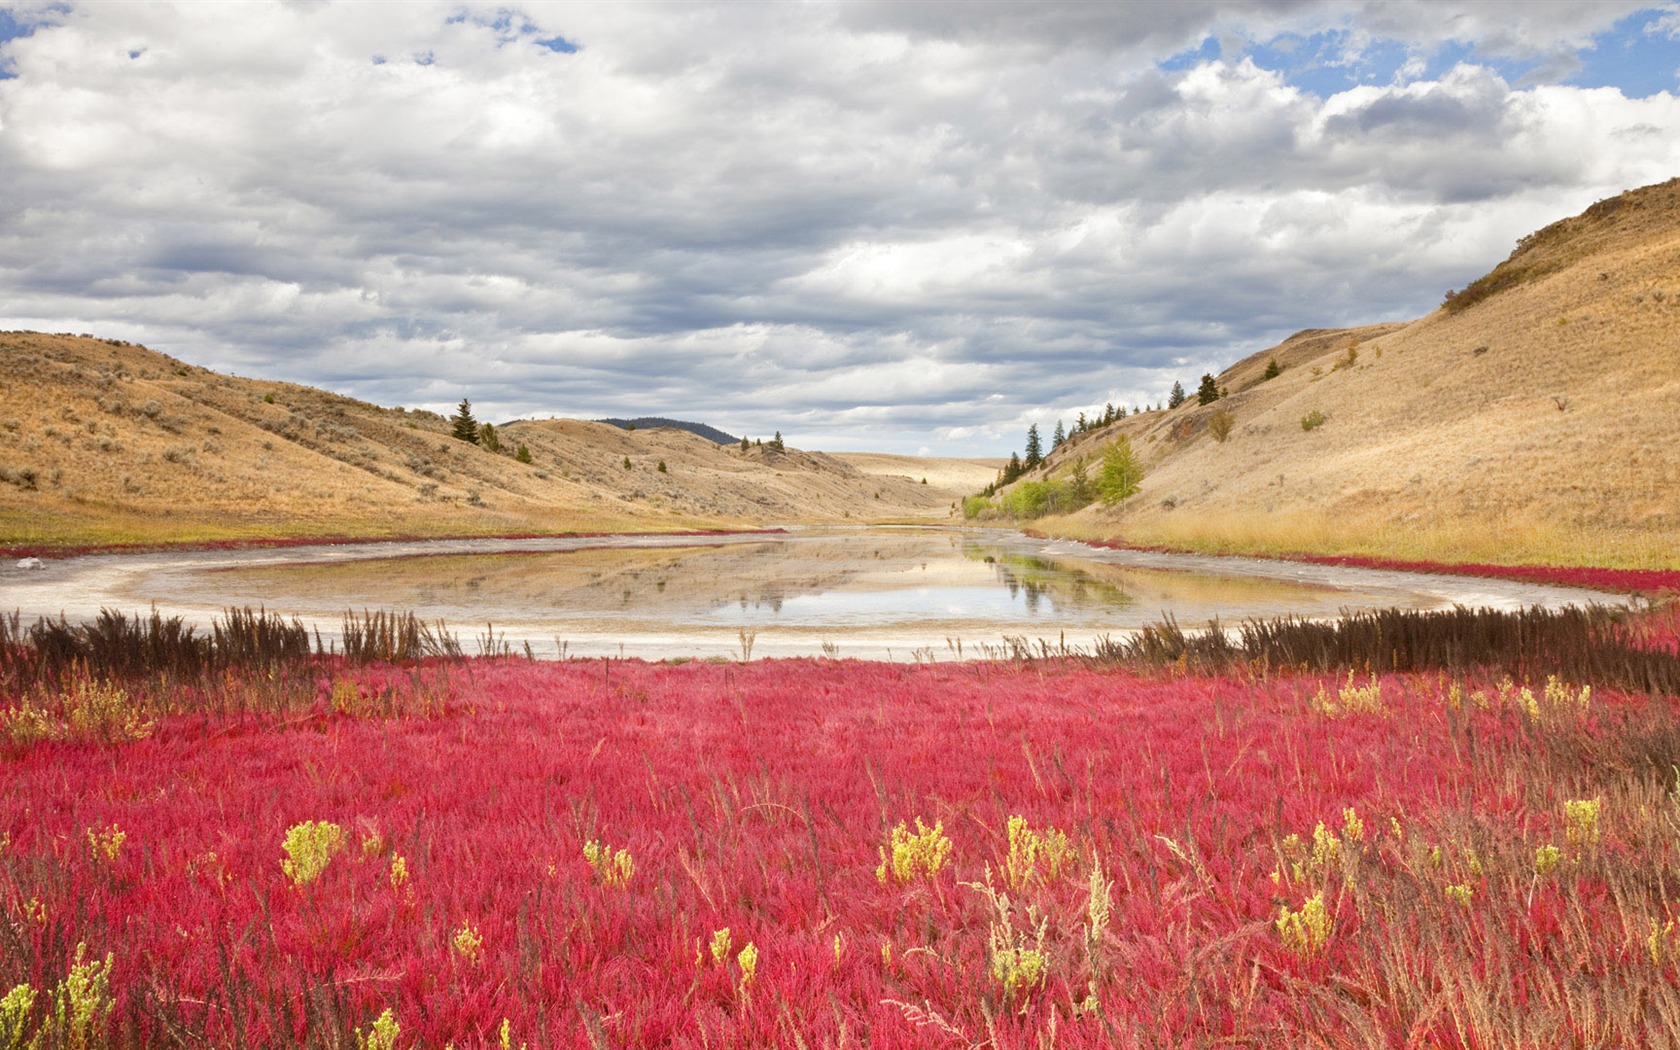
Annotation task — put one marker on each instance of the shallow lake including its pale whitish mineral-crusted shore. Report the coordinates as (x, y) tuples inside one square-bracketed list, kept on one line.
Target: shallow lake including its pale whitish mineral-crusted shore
[(886, 592)]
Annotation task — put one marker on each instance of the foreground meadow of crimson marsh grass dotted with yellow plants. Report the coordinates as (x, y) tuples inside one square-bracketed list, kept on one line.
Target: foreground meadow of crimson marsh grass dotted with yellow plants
[(841, 854)]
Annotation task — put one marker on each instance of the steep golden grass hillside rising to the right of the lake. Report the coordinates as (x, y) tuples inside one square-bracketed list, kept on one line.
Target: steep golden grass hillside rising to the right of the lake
[(1533, 419)]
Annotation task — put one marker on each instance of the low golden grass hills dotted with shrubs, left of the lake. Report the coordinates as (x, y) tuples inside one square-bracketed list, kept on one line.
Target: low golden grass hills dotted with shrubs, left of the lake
[(110, 443)]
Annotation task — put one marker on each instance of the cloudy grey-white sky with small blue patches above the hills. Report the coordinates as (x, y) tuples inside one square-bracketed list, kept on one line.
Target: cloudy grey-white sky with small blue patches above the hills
[(910, 228)]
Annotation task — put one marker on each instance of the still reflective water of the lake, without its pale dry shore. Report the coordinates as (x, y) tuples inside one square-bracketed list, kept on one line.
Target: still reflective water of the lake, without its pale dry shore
[(814, 580)]
